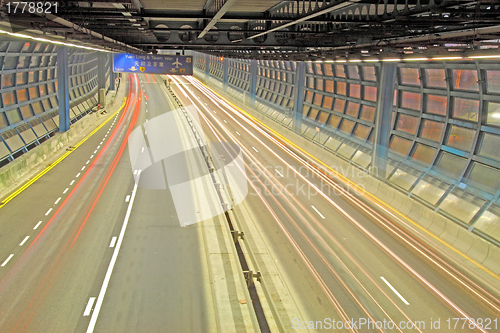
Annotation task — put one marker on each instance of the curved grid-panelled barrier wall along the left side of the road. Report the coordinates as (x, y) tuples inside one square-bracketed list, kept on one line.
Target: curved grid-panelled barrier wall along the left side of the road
[(28, 98)]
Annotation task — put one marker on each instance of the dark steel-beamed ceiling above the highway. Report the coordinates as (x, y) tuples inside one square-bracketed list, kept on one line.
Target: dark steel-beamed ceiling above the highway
[(297, 30)]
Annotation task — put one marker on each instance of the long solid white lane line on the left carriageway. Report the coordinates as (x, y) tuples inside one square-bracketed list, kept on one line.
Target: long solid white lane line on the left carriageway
[(102, 293)]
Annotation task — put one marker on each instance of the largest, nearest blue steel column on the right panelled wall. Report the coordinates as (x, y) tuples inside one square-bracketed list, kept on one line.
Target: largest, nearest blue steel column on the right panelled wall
[(385, 97)]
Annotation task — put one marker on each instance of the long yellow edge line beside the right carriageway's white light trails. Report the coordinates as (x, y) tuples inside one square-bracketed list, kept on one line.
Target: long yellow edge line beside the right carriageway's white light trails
[(351, 184)]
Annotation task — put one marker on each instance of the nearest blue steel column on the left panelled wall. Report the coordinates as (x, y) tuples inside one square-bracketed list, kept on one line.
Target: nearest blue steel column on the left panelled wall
[(63, 87)]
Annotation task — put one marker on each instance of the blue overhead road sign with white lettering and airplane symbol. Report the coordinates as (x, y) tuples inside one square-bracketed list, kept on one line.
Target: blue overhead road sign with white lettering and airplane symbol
[(152, 64)]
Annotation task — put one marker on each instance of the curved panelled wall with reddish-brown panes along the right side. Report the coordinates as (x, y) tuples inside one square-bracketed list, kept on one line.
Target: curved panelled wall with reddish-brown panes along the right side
[(445, 130)]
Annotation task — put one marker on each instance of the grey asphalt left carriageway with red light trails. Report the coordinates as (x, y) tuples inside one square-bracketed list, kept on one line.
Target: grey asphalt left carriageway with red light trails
[(159, 282)]
